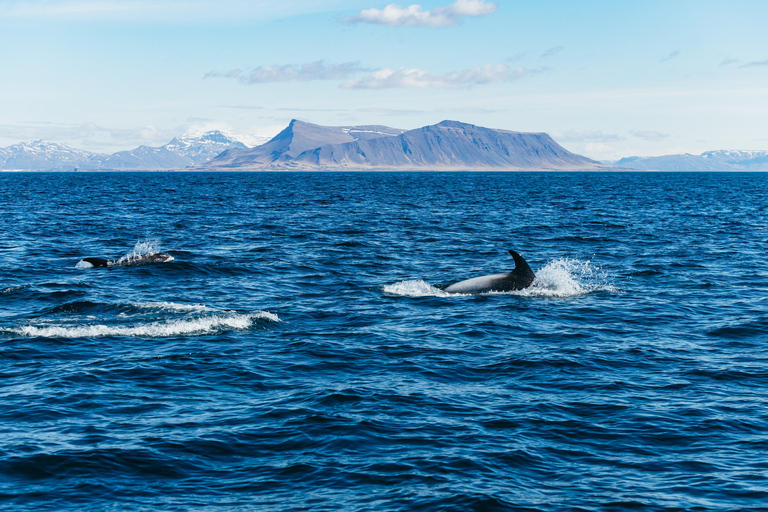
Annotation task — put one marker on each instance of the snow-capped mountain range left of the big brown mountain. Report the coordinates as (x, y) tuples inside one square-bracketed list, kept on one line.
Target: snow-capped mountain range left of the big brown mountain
[(181, 152)]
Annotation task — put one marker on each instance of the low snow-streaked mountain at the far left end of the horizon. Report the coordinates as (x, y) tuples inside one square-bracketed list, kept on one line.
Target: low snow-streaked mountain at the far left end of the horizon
[(44, 155)]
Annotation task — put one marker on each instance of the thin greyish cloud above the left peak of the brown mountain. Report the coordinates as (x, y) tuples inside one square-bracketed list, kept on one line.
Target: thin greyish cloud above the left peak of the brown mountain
[(292, 73)]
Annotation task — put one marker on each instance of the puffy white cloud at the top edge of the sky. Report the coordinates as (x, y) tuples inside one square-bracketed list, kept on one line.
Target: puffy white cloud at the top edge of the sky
[(416, 16)]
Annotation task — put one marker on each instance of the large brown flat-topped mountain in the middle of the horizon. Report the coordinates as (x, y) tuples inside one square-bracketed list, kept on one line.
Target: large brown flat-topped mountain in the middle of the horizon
[(446, 145)]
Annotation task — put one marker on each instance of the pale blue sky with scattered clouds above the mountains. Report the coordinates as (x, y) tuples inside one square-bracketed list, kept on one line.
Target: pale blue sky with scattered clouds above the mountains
[(606, 78)]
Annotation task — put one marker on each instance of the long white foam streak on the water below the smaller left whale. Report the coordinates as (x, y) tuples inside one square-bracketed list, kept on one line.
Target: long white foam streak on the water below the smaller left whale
[(194, 326)]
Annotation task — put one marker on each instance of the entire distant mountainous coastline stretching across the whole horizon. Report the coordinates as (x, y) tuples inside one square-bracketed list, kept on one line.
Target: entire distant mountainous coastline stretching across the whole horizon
[(449, 146)]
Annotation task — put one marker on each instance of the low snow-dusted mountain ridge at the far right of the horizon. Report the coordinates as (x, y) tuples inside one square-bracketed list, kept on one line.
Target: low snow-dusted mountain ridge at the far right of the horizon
[(723, 160)]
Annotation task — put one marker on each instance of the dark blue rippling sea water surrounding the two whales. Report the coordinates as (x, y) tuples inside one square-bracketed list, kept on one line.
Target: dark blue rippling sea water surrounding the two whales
[(299, 352)]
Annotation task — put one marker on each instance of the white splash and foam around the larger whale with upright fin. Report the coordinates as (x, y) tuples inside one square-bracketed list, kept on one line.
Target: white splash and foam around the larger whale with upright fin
[(561, 278)]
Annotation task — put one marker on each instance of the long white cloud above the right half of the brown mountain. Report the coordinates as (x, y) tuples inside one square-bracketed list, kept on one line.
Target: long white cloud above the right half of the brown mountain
[(420, 79)]
